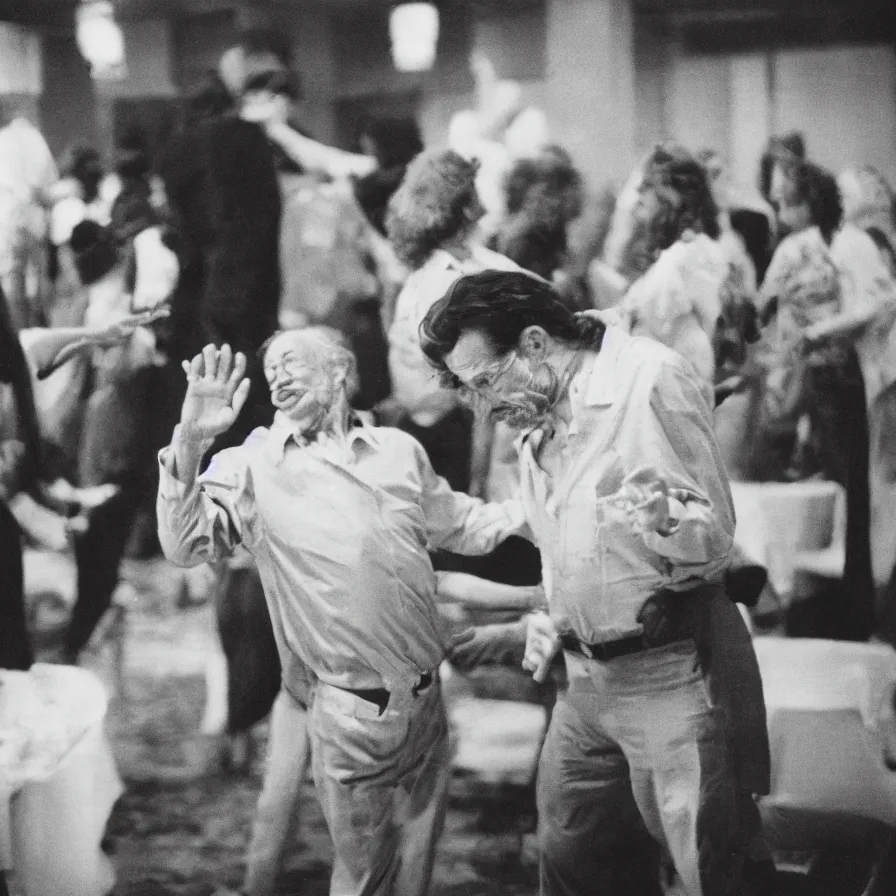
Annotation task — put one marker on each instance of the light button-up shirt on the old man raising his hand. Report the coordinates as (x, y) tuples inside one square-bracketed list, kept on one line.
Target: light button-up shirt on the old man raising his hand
[(340, 541)]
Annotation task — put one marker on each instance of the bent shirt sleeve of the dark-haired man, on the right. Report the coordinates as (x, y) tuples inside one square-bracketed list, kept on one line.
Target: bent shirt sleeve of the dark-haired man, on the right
[(683, 447)]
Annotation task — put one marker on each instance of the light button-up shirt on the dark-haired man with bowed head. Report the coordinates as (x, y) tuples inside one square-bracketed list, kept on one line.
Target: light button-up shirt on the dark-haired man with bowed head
[(635, 403)]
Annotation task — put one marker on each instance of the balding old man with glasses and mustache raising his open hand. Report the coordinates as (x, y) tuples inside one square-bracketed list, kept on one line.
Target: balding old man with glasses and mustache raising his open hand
[(338, 516)]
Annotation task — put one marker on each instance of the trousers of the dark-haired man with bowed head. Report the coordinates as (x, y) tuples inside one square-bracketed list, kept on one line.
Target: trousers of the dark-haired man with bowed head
[(636, 745)]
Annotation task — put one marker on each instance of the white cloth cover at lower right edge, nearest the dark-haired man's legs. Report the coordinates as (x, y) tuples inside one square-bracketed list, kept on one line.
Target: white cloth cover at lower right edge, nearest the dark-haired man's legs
[(830, 721)]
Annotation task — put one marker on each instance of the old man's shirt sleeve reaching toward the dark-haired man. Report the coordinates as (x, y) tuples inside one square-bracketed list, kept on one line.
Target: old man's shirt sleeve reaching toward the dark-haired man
[(461, 524)]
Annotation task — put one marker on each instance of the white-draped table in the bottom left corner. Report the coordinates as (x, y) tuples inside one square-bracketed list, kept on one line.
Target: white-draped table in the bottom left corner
[(58, 782)]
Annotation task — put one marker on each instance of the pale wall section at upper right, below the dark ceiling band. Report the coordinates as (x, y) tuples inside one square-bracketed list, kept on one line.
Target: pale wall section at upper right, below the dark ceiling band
[(843, 99)]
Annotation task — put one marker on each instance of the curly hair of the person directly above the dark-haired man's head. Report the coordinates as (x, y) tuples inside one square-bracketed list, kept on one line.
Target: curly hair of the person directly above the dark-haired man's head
[(435, 201)]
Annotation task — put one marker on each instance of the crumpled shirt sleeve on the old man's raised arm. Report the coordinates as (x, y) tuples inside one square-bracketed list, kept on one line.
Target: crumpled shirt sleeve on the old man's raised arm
[(205, 522)]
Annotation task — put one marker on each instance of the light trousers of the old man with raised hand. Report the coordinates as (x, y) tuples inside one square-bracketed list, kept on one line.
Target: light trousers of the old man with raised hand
[(382, 780)]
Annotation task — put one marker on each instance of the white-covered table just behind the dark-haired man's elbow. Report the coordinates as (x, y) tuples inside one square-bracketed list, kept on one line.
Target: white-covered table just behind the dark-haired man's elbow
[(776, 521)]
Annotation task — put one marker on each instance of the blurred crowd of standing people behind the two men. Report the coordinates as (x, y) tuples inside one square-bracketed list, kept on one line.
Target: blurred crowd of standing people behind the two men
[(783, 297)]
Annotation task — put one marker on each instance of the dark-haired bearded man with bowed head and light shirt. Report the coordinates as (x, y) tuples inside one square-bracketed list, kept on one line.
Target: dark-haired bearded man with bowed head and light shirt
[(624, 490)]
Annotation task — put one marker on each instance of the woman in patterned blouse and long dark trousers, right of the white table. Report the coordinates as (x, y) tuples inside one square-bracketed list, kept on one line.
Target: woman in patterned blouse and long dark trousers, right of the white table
[(815, 375)]
